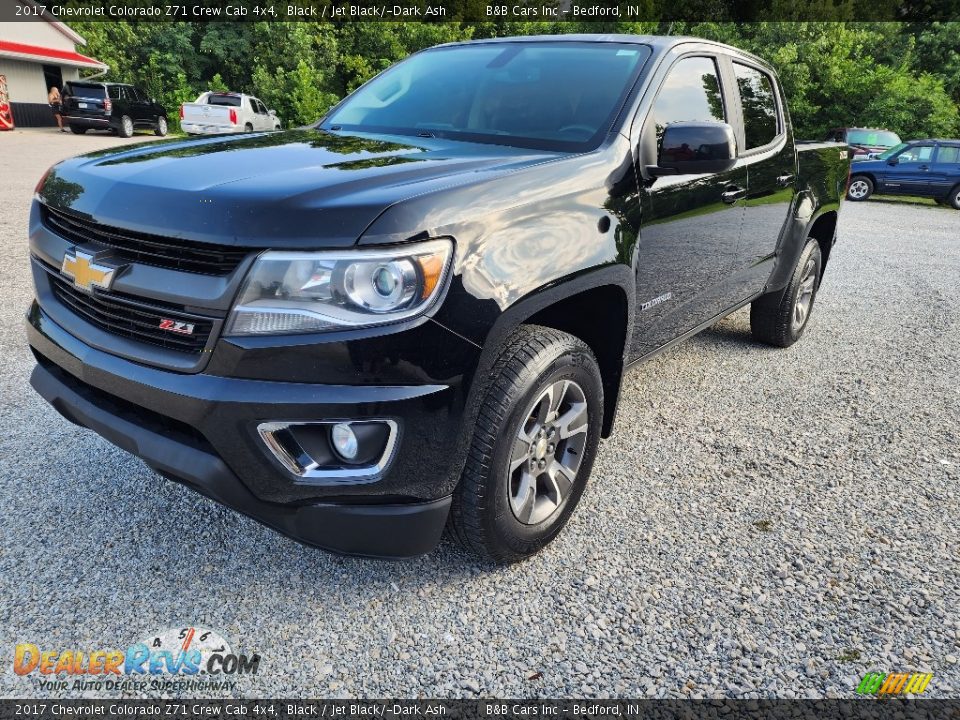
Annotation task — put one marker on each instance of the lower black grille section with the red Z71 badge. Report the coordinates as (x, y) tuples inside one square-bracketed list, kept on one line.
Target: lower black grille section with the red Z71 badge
[(132, 319)]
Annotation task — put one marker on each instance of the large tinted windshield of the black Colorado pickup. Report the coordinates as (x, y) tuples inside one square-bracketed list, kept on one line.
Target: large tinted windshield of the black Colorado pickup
[(544, 95)]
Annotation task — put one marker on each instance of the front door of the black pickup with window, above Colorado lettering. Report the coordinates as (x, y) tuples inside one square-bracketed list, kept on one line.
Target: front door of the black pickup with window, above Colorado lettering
[(691, 224)]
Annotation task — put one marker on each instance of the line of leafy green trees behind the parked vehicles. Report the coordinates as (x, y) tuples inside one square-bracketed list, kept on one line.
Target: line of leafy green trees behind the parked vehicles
[(897, 75)]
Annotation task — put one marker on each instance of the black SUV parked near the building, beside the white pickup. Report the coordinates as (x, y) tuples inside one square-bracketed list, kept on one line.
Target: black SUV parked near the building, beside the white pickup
[(111, 106)]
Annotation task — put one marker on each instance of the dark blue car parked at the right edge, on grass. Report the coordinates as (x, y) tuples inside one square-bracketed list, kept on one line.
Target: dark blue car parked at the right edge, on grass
[(925, 168)]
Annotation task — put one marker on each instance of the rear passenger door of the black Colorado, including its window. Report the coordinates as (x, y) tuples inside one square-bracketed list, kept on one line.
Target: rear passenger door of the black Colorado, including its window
[(771, 160)]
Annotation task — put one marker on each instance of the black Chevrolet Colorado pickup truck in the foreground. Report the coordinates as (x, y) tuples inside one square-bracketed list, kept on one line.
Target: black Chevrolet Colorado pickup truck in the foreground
[(417, 313)]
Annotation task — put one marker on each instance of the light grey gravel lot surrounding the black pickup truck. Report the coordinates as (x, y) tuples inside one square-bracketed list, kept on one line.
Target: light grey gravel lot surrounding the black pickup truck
[(764, 522)]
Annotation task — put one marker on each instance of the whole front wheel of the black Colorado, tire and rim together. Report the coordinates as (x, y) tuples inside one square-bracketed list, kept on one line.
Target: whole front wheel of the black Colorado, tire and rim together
[(533, 447)]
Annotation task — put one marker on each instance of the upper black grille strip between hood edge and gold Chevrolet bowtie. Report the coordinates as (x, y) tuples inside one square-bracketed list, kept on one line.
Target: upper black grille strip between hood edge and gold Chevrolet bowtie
[(130, 246)]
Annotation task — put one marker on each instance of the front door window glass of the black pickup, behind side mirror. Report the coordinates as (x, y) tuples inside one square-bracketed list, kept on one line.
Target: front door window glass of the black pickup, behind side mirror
[(691, 93)]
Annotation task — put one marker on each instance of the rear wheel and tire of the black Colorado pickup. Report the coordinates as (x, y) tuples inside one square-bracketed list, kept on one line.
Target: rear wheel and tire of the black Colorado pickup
[(773, 317)]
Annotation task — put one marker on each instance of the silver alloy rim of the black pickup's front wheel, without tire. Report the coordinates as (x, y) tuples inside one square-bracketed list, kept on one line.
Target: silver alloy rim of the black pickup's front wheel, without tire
[(547, 452)]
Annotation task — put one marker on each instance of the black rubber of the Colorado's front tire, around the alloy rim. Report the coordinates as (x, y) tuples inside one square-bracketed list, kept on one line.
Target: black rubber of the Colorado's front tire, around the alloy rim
[(532, 360)]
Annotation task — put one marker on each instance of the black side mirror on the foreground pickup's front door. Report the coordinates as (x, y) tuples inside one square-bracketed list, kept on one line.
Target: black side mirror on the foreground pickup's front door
[(695, 147)]
